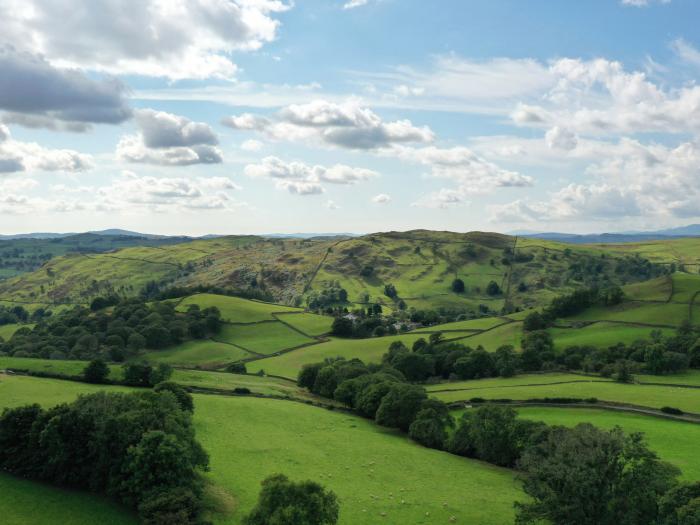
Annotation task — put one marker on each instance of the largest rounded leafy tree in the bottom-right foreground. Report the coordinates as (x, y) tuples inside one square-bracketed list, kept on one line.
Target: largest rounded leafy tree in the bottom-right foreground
[(589, 476)]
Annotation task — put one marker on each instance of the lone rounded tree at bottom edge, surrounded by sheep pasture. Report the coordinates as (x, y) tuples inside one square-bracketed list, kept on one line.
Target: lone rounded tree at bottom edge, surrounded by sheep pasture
[(284, 502)]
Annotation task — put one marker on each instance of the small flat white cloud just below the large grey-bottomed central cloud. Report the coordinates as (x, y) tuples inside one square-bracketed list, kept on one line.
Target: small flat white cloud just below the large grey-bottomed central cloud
[(303, 179)]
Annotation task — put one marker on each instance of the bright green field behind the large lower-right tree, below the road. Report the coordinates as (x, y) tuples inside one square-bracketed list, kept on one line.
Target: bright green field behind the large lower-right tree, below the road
[(674, 441)]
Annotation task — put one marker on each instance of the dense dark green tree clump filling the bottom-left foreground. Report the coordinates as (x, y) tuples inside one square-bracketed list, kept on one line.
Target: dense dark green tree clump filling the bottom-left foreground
[(139, 448)]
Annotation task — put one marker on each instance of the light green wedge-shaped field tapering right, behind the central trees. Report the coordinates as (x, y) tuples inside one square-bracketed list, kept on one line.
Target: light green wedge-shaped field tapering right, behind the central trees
[(369, 350)]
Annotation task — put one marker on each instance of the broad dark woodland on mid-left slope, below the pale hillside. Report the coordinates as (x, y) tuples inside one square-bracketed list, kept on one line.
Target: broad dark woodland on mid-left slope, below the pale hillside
[(116, 335)]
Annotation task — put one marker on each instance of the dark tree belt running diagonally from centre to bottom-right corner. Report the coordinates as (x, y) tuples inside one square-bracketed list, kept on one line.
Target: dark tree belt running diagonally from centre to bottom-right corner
[(581, 475)]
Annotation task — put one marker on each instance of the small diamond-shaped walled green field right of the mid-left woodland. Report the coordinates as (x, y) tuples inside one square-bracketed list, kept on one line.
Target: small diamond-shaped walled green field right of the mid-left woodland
[(263, 338)]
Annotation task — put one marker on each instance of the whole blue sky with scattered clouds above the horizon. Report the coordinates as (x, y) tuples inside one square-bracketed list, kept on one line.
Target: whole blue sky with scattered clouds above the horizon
[(258, 116)]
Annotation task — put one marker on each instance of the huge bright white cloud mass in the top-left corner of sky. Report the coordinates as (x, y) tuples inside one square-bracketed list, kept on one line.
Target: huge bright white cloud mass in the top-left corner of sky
[(176, 39)]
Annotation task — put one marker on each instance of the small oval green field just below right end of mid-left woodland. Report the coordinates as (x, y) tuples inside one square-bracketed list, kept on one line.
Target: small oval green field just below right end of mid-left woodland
[(198, 353)]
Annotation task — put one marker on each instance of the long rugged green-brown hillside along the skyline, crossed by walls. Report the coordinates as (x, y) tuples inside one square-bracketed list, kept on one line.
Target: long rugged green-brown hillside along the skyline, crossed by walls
[(421, 265)]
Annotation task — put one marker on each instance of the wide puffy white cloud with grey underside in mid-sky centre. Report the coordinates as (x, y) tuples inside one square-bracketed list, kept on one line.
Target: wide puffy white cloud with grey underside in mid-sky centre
[(346, 125)]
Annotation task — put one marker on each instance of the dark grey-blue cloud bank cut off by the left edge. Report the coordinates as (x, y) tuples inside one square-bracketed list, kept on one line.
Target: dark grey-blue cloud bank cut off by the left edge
[(36, 94)]
